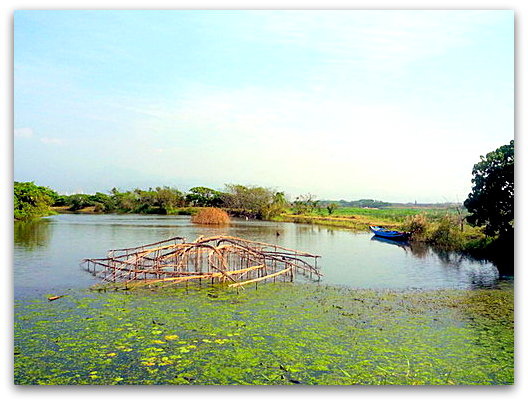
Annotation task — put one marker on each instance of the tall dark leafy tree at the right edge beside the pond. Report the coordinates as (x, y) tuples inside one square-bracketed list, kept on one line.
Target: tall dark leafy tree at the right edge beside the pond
[(490, 202)]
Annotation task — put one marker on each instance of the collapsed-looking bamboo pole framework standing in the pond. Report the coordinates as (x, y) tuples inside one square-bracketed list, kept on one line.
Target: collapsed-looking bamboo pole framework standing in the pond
[(223, 259)]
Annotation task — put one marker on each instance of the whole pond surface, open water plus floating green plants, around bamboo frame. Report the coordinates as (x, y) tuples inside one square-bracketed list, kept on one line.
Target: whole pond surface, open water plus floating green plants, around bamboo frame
[(457, 328)]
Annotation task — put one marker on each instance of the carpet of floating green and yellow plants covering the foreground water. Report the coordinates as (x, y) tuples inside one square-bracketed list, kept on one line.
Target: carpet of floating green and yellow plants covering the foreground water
[(278, 334)]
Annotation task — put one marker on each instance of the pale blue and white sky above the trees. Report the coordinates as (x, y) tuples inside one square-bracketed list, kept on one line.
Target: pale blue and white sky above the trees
[(391, 105)]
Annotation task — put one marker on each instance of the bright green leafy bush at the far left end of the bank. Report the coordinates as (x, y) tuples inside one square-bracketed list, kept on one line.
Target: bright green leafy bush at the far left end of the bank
[(32, 201)]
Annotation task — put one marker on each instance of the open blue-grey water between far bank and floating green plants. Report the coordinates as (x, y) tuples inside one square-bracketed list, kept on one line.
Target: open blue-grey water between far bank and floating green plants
[(47, 252)]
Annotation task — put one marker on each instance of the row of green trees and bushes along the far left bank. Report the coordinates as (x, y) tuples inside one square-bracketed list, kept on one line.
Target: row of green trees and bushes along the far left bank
[(32, 201)]
